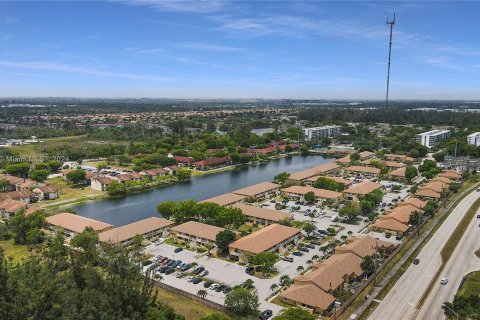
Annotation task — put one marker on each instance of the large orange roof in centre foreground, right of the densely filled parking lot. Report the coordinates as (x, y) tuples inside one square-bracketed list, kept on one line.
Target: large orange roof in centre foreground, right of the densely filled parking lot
[(265, 238)]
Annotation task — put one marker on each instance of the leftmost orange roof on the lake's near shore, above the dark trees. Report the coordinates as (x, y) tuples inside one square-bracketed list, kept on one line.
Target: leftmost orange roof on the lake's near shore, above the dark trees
[(76, 223)]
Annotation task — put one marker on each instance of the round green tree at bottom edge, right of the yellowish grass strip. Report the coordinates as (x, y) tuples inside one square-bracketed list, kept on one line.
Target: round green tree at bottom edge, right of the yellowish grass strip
[(242, 302)]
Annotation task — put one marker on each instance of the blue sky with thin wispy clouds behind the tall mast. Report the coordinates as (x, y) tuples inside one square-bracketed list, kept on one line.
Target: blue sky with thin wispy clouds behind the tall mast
[(239, 49)]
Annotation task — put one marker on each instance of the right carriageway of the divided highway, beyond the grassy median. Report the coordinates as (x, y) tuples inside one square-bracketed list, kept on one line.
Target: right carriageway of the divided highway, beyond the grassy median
[(462, 261)]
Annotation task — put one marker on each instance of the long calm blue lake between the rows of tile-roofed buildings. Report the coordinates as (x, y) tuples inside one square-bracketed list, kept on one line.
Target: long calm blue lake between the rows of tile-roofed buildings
[(138, 206)]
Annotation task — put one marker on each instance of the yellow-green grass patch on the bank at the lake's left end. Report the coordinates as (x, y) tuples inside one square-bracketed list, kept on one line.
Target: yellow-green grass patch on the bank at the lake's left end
[(69, 193)]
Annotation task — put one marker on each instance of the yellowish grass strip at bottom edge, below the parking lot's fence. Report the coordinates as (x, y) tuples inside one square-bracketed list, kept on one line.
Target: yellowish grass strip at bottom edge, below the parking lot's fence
[(183, 306)]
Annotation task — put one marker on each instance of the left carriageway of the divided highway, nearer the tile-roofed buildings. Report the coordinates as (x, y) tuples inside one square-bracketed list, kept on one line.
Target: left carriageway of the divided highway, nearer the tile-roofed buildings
[(401, 301)]
